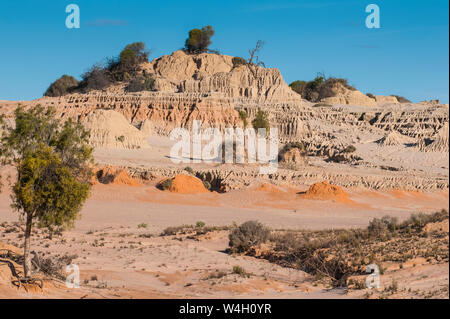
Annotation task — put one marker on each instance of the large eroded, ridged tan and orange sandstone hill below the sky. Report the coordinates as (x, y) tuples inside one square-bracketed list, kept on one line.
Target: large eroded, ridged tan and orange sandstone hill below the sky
[(206, 87)]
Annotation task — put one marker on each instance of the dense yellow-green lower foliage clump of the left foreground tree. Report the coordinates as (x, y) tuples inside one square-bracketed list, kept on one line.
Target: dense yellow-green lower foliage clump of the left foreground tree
[(49, 189)]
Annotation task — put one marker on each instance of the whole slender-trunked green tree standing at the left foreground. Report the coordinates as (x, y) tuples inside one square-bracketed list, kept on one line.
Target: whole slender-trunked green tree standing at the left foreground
[(53, 163)]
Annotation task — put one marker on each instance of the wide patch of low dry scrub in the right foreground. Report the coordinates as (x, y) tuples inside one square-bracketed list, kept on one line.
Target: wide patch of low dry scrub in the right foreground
[(335, 255)]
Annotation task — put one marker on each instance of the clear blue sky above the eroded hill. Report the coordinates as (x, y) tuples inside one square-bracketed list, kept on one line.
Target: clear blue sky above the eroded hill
[(408, 55)]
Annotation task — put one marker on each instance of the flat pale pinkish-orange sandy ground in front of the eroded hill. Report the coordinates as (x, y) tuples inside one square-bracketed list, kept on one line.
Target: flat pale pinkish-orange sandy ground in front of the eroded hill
[(119, 249)]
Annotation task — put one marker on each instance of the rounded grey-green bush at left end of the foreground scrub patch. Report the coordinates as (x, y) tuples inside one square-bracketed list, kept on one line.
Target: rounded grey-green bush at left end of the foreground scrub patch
[(248, 234)]
